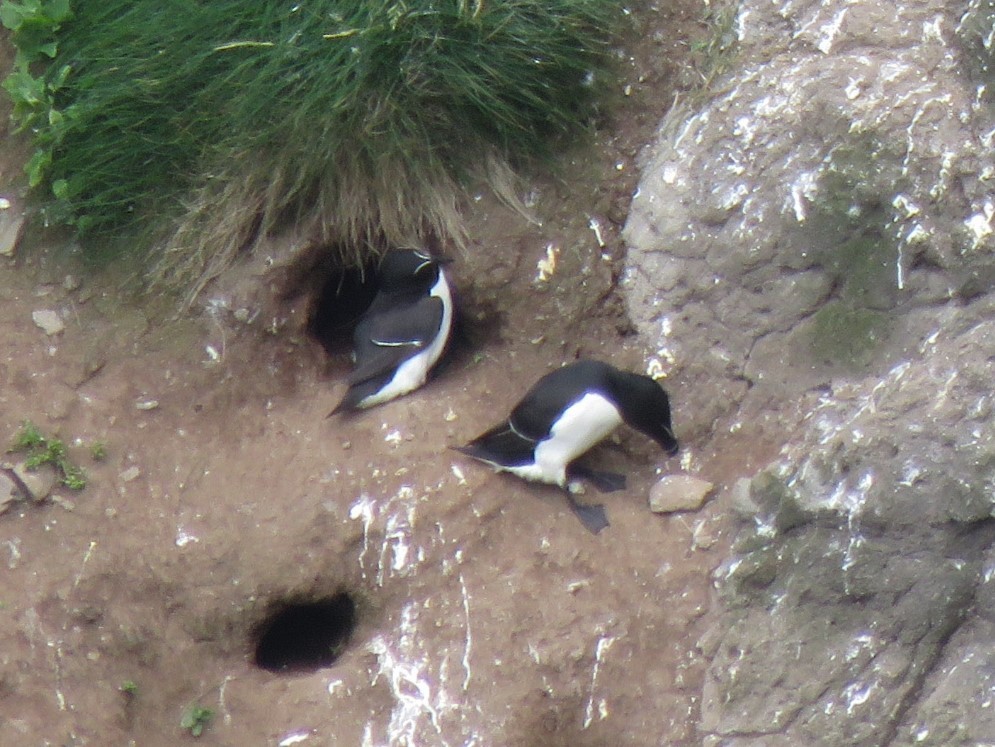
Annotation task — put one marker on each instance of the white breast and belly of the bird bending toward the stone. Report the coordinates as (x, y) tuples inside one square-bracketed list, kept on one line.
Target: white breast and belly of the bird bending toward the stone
[(582, 425)]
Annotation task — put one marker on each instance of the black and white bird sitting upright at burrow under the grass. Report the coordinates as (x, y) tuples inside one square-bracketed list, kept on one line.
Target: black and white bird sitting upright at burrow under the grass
[(403, 333)]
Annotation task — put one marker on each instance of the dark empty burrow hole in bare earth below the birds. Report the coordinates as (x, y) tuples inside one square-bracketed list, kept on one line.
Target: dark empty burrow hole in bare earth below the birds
[(305, 636)]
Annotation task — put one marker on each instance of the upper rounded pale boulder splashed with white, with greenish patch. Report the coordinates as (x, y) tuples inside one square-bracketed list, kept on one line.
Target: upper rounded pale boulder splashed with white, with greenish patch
[(822, 208)]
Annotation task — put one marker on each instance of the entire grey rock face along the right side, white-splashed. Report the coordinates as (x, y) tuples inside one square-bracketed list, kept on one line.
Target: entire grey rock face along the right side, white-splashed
[(818, 237)]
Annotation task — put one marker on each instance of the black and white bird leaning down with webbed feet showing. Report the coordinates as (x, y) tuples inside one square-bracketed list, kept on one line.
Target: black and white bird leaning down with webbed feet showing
[(566, 413)]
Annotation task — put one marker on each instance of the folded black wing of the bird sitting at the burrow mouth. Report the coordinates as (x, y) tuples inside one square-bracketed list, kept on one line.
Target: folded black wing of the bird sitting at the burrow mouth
[(383, 341)]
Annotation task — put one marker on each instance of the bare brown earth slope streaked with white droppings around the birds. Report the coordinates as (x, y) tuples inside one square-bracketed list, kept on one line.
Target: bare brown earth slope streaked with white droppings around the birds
[(247, 498)]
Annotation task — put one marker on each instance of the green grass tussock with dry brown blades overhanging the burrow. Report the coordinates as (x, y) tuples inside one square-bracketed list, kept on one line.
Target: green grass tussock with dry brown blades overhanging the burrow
[(361, 121)]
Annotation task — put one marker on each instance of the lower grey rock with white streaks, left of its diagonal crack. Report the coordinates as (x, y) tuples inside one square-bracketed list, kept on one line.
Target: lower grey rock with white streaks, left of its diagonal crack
[(862, 559)]
